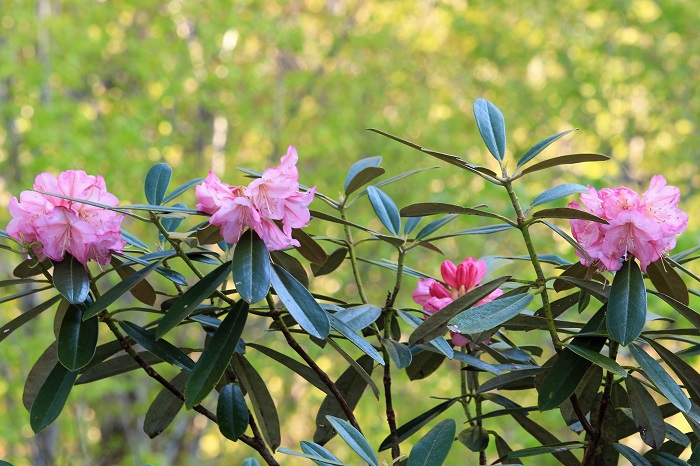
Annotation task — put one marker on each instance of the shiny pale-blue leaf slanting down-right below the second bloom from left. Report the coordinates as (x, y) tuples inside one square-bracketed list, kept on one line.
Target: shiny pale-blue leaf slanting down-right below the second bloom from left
[(300, 303)]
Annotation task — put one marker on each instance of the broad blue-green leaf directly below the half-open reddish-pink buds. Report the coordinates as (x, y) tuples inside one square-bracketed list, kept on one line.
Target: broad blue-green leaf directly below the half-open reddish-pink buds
[(489, 315)]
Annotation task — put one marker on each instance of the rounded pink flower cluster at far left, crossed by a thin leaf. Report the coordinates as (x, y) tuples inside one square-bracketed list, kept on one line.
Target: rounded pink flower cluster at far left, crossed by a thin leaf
[(63, 226)]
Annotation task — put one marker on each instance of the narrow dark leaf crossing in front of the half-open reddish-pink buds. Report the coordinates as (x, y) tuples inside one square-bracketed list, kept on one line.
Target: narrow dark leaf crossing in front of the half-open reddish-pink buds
[(436, 325)]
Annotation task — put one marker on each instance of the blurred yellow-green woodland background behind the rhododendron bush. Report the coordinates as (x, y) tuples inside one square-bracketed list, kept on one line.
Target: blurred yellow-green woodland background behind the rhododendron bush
[(114, 86)]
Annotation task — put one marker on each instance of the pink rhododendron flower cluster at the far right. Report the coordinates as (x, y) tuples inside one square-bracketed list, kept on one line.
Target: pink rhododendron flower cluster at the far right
[(644, 227)]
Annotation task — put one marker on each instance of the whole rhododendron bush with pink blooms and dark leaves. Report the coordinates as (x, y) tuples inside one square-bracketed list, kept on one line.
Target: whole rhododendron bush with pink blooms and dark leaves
[(246, 255)]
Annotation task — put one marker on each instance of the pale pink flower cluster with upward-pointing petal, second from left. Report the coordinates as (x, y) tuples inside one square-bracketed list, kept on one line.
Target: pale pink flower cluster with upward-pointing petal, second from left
[(272, 198)]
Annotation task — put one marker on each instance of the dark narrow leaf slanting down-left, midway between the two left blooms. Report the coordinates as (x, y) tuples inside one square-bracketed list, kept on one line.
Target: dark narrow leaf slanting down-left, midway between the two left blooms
[(191, 298)]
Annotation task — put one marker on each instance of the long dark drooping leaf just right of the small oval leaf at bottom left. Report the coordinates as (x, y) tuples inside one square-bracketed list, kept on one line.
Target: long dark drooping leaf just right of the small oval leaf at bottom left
[(263, 404)]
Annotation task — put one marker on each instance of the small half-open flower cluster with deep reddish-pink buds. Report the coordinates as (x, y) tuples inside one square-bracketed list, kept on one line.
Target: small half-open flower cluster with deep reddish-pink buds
[(460, 279)]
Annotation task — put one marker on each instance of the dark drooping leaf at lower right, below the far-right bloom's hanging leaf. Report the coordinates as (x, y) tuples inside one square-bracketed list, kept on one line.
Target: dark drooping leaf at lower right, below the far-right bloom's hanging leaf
[(646, 413)]
